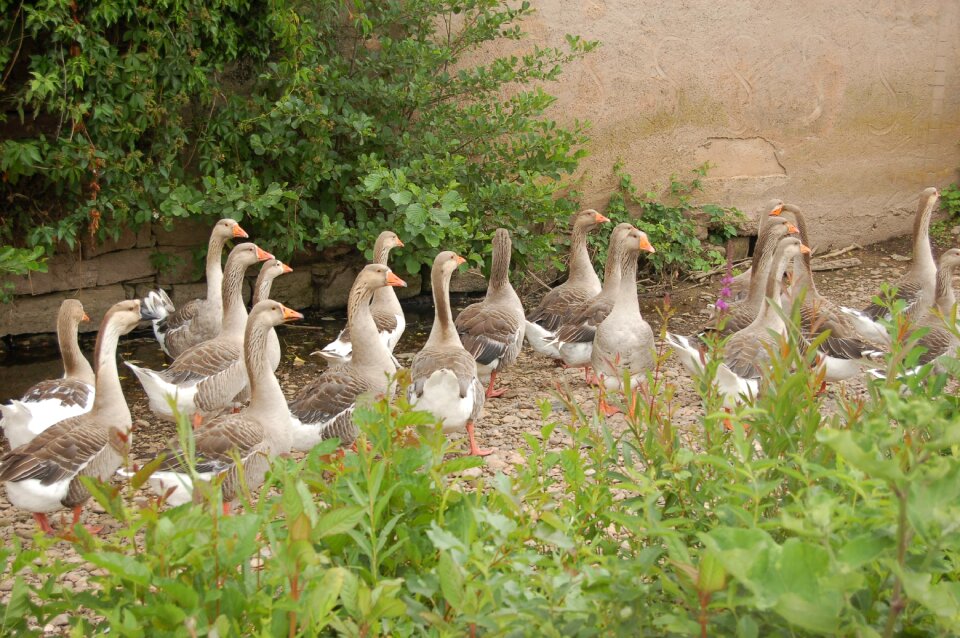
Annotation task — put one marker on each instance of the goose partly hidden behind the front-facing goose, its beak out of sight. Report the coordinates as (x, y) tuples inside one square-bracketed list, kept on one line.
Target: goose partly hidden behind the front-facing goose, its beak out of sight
[(574, 338)]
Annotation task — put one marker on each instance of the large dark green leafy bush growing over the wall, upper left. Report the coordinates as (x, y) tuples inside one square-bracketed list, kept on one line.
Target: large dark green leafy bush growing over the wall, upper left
[(315, 122)]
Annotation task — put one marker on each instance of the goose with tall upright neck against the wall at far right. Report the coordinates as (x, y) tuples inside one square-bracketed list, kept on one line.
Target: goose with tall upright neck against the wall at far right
[(917, 286)]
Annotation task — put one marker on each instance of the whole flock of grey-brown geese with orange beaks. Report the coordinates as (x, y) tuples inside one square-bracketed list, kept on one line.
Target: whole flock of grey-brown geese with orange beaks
[(222, 376)]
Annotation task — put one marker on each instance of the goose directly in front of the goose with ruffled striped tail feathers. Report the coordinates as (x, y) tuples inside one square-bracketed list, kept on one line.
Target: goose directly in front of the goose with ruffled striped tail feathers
[(207, 377)]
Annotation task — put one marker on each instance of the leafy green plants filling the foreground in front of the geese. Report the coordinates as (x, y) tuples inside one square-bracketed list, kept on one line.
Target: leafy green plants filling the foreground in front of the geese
[(767, 520)]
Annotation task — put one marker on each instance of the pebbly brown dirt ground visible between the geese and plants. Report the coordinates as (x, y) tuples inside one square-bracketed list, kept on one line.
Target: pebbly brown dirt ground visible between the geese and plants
[(506, 420)]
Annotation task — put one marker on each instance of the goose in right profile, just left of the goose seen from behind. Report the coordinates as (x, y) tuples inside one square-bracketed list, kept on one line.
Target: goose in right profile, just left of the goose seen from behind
[(324, 409)]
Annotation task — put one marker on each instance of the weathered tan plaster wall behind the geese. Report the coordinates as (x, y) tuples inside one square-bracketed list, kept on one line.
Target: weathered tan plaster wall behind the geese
[(846, 108)]
